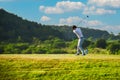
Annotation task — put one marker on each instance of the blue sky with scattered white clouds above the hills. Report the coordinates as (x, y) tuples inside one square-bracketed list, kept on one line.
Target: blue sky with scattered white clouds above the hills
[(103, 14)]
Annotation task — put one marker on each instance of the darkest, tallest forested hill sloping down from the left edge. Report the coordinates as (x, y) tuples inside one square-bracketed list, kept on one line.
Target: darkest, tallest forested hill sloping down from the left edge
[(13, 27)]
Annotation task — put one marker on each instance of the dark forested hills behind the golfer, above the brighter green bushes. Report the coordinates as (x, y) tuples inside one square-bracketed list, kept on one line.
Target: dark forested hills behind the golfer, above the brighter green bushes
[(13, 28)]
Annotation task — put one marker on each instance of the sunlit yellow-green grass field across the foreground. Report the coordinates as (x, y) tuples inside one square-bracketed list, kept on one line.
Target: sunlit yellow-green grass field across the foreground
[(59, 67)]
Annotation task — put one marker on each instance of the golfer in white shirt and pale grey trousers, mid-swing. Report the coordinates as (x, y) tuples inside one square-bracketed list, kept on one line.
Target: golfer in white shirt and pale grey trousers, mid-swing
[(80, 36)]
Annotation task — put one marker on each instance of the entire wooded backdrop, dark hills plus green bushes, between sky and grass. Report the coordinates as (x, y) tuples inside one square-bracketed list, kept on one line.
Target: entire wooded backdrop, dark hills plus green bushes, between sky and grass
[(20, 36)]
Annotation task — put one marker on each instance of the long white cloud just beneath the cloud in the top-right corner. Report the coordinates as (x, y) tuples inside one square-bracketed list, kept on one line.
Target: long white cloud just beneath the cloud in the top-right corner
[(97, 11)]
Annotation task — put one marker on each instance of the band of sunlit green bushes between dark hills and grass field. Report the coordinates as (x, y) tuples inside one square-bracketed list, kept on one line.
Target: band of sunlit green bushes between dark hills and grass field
[(59, 46)]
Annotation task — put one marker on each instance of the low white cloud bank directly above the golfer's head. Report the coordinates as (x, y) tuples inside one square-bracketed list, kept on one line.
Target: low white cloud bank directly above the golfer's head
[(75, 20)]
